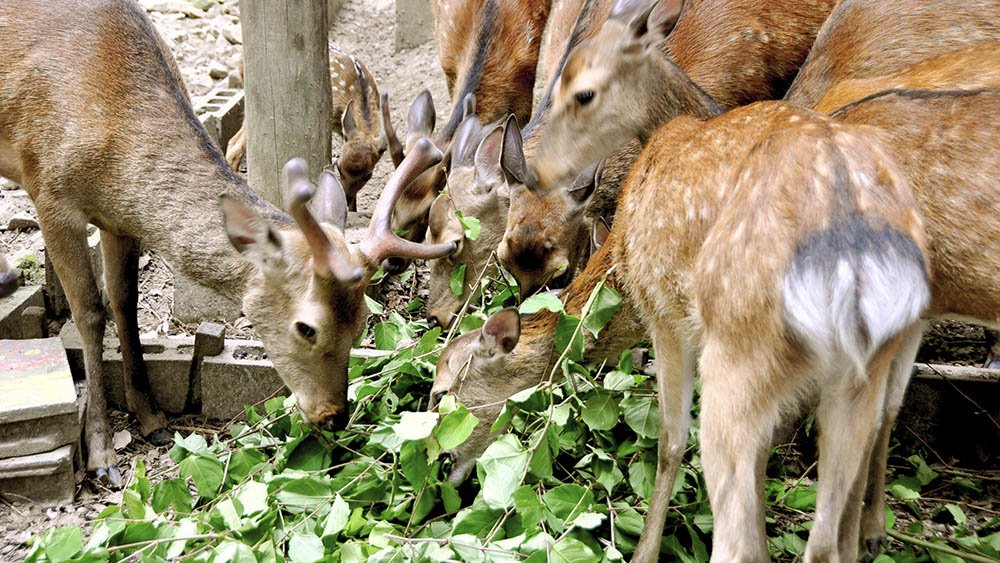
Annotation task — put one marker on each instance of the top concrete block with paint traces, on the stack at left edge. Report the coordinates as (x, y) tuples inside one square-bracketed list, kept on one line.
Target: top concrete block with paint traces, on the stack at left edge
[(38, 403)]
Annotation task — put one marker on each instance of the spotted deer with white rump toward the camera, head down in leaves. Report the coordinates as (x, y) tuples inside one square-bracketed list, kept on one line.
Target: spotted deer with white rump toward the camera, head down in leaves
[(690, 222)]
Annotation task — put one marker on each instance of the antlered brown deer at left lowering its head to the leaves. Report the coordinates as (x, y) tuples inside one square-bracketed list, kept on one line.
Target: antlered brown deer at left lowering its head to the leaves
[(109, 137)]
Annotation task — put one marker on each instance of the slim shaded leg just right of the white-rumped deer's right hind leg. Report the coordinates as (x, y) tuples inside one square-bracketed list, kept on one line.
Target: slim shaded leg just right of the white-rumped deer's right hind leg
[(873, 535)]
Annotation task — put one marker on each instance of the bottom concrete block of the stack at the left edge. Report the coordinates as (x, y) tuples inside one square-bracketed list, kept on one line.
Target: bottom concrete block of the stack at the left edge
[(44, 478)]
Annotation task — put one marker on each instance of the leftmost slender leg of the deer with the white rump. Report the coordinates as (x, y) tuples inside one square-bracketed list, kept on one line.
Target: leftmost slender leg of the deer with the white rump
[(674, 384)]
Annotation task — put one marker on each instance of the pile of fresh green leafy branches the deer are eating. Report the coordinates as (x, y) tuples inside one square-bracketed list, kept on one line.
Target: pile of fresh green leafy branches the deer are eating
[(569, 479)]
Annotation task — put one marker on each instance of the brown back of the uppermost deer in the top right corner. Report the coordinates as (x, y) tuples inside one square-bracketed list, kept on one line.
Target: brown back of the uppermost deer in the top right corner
[(863, 39)]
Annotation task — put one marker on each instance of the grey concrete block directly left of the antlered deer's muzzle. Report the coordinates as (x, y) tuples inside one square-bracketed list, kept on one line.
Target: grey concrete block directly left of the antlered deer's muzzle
[(240, 375)]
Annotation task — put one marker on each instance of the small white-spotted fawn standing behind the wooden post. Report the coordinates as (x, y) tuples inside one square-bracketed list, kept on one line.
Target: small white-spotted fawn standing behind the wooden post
[(356, 107)]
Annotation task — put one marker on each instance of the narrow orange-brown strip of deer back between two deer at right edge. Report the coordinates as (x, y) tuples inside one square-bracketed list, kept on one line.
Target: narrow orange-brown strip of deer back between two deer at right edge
[(973, 67)]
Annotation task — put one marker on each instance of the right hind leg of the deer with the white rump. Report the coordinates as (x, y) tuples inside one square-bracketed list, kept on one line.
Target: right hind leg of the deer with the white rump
[(850, 417)]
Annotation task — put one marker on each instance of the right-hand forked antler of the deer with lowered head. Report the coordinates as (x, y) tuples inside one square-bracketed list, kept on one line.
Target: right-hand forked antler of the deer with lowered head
[(380, 242)]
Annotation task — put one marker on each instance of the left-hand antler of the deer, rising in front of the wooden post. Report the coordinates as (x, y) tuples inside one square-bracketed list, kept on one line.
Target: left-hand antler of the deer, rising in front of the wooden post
[(328, 261)]
